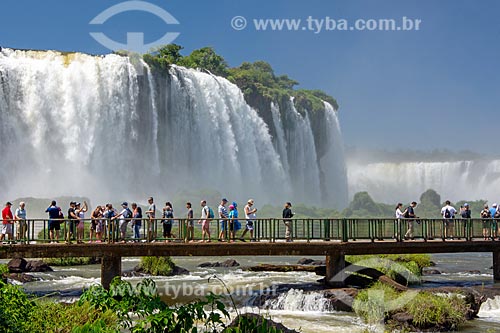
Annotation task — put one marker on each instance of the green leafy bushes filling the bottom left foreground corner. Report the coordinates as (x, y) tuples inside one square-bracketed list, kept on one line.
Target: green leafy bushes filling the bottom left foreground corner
[(135, 309)]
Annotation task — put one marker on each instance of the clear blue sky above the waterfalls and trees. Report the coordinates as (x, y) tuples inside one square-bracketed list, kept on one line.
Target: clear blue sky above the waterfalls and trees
[(433, 88)]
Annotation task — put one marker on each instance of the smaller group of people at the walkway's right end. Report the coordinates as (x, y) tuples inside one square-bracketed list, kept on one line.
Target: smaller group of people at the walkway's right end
[(489, 219)]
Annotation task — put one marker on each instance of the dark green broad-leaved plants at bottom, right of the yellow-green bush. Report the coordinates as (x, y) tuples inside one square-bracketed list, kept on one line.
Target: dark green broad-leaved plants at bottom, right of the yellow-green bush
[(141, 310)]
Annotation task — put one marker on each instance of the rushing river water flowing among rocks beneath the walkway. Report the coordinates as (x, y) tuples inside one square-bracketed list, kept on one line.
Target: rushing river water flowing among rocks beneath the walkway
[(304, 311)]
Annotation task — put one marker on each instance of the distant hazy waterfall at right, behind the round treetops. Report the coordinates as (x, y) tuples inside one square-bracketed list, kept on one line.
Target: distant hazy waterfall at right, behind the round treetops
[(395, 182)]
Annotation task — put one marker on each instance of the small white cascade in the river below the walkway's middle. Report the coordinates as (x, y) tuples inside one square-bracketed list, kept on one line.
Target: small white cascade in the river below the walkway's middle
[(298, 300)]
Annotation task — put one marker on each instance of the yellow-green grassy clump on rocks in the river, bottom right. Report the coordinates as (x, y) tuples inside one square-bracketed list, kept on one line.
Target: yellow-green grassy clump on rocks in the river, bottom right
[(380, 302)]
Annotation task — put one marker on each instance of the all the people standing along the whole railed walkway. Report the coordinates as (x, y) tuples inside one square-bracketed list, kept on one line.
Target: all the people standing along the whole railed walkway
[(107, 223)]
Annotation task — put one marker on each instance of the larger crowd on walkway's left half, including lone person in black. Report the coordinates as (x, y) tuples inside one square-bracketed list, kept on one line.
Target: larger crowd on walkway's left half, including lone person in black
[(106, 222)]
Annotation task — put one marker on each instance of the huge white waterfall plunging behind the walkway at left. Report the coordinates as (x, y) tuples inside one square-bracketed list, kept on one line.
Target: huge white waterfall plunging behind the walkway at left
[(102, 127)]
